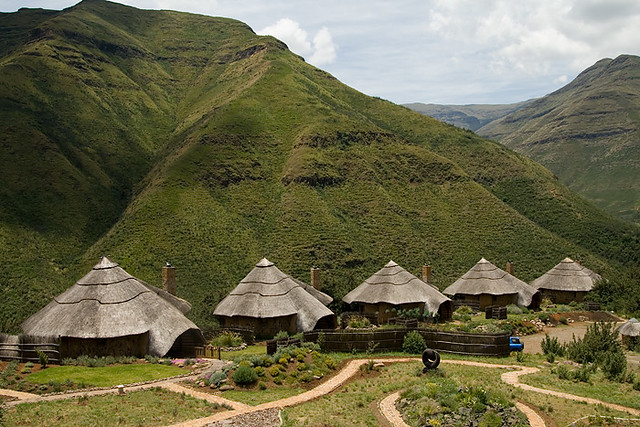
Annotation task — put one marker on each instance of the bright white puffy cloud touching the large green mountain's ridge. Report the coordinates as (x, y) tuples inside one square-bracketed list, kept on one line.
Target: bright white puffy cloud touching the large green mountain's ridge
[(322, 51)]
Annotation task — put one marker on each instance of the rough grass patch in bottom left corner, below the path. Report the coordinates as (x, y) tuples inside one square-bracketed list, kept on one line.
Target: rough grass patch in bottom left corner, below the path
[(151, 407)]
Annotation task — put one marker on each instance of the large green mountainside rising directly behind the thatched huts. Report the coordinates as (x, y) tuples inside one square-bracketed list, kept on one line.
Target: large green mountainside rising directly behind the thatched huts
[(155, 136)]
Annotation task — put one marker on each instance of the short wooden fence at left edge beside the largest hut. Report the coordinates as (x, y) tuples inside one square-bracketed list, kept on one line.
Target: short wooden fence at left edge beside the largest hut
[(23, 348)]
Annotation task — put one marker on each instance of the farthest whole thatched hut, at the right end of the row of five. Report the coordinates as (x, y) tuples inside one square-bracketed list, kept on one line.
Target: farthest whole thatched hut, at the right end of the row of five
[(568, 281)]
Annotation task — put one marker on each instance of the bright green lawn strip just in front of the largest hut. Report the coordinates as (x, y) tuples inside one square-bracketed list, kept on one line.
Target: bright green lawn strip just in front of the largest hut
[(105, 376)]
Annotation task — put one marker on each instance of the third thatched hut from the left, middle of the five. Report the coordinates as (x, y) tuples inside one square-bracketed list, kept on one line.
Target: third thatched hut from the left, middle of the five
[(394, 287)]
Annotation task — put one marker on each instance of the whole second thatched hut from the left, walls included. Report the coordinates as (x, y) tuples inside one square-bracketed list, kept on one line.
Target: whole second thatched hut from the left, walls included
[(268, 300)]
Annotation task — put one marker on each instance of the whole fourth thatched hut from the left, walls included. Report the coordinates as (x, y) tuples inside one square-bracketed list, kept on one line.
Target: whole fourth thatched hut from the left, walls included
[(485, 284)]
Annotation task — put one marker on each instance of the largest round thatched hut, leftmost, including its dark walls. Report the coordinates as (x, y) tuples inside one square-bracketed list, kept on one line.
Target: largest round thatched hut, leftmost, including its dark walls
[(110, 312)]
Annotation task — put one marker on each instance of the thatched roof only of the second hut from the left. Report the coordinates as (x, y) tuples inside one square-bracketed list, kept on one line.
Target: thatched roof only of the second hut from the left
[(266, 292)]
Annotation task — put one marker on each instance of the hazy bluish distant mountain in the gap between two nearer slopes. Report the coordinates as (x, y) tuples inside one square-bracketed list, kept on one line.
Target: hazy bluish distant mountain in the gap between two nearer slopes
[(472, 116)]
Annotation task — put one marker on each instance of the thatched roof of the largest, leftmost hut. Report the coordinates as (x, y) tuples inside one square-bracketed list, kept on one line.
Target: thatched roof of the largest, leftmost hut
[(107, 303)]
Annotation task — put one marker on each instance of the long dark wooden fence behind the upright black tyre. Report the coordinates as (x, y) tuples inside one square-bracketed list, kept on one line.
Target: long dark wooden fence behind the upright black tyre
[(381, 340)]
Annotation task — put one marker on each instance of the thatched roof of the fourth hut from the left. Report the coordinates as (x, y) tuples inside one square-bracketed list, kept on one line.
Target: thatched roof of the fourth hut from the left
[(486, 278)]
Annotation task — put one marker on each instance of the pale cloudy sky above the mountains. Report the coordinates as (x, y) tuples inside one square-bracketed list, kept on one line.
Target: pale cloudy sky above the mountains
[(439, 51)]
